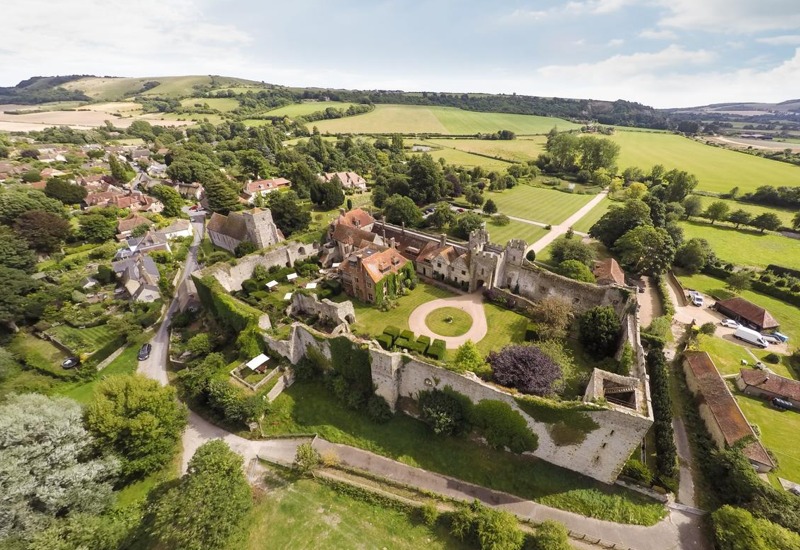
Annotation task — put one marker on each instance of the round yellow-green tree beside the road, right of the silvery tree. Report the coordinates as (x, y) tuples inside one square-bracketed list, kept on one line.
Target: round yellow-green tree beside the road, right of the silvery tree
[(137, 419)]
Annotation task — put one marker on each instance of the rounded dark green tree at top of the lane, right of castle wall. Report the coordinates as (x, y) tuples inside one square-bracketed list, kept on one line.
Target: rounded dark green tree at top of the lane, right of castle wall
[(645, 250)]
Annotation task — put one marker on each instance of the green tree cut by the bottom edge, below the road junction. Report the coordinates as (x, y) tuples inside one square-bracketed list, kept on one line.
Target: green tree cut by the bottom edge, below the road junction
[(207, 505)]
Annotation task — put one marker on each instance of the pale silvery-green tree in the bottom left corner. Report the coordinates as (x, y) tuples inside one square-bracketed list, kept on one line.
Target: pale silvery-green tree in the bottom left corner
[(48, 466)]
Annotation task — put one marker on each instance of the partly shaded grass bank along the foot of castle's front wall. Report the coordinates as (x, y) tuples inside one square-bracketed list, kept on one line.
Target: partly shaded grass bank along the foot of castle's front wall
[(309, 407)]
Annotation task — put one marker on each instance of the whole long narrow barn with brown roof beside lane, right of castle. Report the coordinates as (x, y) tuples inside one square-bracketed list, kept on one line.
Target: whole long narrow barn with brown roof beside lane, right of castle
[(718, 408)]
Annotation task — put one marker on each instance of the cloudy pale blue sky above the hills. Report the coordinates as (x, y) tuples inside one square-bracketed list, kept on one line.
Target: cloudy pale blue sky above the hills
[(664, 53)]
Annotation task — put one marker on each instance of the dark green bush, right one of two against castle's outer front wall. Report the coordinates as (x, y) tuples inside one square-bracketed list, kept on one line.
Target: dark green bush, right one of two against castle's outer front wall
[(503, 427)]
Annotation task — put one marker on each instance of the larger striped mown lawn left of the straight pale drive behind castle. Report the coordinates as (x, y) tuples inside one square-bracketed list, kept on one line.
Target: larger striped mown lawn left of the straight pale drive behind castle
[(537, 204)]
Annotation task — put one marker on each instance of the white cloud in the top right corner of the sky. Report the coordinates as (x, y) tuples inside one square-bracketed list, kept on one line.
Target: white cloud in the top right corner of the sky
[(742, 16)]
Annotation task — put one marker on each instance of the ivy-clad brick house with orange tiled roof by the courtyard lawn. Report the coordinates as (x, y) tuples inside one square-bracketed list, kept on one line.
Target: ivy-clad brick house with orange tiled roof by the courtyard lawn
[(374, 272)]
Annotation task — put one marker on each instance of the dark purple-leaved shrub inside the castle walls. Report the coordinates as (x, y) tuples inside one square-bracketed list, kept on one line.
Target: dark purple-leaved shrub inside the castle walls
[(526, 368)]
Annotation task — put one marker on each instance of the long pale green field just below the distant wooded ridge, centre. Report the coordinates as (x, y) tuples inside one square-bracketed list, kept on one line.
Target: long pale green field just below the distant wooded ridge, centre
[(410, 119)]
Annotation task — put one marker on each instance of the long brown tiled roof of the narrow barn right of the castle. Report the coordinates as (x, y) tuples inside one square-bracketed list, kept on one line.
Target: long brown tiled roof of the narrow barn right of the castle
[(729, 417)]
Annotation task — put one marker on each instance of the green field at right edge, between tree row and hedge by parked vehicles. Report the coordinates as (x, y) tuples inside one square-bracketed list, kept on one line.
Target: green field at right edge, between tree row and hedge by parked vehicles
[(746, 247)]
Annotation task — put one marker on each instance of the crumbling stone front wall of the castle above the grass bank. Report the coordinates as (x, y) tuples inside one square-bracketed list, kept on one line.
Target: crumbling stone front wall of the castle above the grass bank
[(601, 455)]
